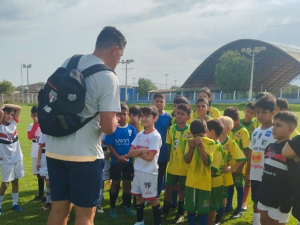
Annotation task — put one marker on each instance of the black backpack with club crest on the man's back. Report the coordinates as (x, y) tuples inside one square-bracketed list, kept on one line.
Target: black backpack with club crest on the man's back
[(63, 97)]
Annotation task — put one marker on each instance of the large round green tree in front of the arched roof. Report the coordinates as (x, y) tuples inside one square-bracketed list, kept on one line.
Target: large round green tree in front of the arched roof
[(233, 72)]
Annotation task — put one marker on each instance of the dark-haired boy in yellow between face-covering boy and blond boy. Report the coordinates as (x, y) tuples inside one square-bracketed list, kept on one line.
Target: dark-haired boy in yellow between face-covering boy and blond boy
[(215, 128)]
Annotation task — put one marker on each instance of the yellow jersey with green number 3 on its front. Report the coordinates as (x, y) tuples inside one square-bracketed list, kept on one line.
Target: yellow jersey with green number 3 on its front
[(177, 140)]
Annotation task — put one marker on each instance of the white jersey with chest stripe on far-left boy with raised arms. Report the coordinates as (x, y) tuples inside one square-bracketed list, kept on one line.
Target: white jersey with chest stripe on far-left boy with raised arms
[(10, 151)]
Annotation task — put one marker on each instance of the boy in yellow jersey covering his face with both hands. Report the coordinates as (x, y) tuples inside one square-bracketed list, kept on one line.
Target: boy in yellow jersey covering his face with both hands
[(199, 155)]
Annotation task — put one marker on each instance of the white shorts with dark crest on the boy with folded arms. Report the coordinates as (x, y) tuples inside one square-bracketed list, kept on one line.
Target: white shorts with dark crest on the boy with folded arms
[(144, 184)]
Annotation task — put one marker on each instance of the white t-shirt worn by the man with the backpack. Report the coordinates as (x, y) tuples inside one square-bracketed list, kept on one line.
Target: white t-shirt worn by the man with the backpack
[(102, 95)]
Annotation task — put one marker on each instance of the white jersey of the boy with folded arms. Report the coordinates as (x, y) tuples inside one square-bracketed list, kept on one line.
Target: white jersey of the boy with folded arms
[(153, 142)]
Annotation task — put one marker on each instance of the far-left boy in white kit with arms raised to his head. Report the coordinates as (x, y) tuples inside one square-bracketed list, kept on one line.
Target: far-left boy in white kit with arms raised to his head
[(11, 157)]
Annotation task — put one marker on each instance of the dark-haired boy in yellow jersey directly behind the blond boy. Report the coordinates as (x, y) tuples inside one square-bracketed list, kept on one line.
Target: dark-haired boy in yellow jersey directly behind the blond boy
[(241, 136)]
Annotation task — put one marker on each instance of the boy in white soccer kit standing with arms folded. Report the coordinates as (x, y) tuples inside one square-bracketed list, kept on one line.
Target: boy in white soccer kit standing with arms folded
[(145, 148)]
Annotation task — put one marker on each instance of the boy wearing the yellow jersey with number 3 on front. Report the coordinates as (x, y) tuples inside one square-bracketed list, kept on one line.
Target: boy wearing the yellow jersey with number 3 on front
[(178, 136)]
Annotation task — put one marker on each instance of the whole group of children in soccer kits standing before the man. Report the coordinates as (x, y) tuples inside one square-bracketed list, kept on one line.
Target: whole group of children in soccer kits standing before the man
[(198, 158)]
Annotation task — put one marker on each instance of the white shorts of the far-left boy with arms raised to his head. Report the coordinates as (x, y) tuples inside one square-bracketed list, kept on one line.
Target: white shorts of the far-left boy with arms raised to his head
[(10, 172)]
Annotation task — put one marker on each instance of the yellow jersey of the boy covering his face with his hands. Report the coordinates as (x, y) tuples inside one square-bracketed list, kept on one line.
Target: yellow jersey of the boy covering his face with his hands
[(199, 175)]
